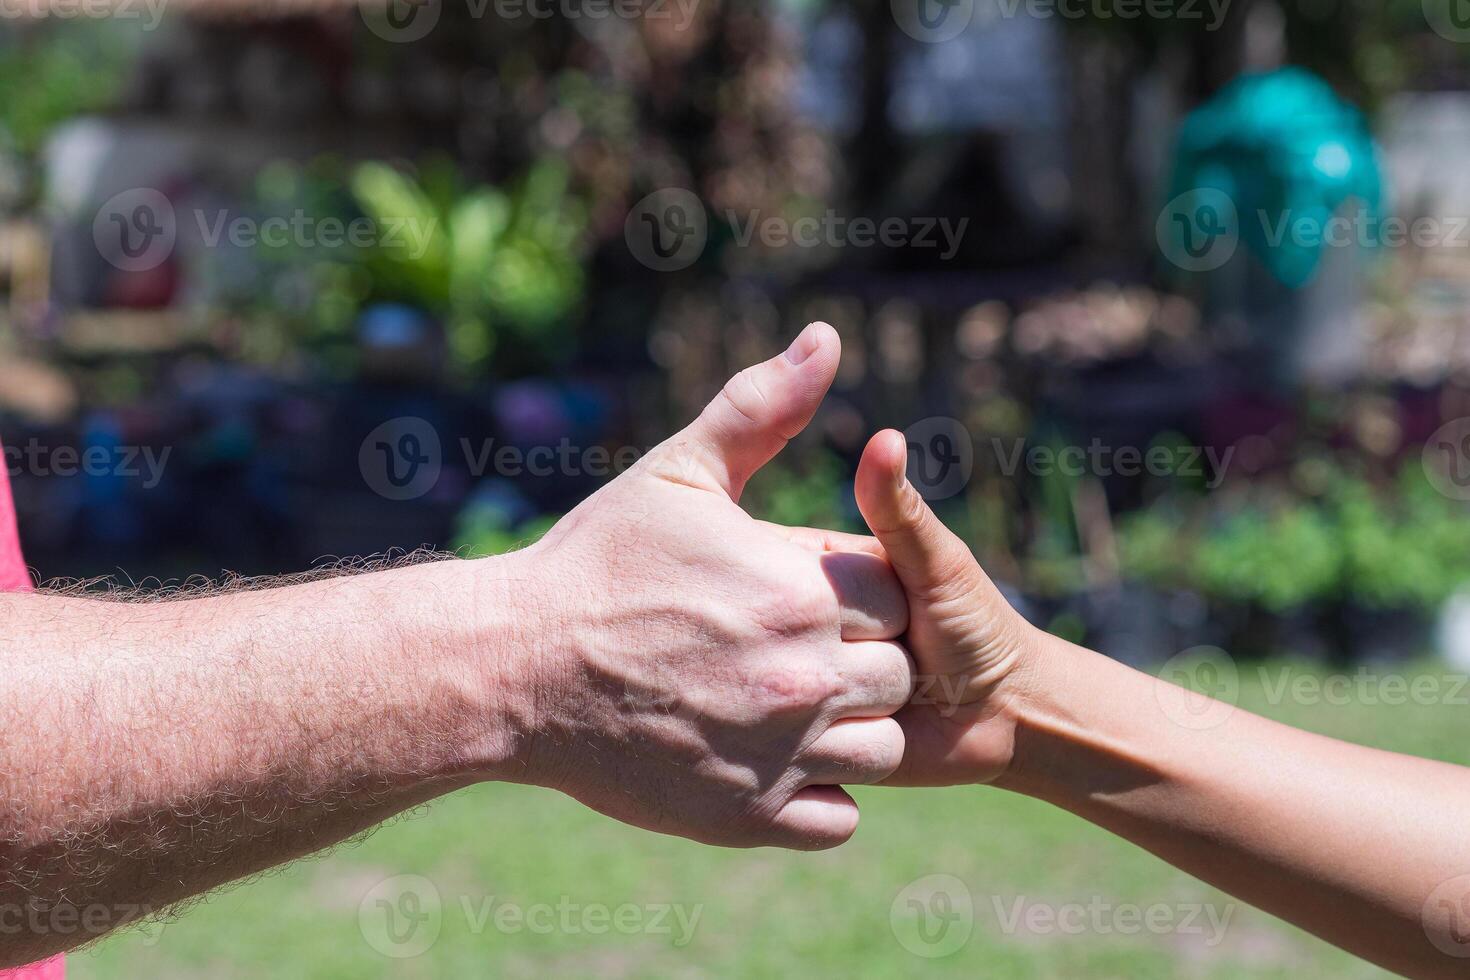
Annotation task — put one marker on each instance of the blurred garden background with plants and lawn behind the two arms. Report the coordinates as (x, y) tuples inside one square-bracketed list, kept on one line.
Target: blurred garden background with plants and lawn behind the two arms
[(1175, 309)]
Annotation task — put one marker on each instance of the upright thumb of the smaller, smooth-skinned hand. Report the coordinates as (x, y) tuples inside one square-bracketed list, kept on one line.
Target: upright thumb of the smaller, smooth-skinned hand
[(928, 558)]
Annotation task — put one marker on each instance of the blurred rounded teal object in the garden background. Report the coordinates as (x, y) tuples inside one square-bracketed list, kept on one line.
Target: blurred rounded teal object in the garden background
[(1288, 154)]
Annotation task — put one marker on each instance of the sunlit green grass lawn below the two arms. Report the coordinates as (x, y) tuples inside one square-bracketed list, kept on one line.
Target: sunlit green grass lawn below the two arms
[(761, 915)]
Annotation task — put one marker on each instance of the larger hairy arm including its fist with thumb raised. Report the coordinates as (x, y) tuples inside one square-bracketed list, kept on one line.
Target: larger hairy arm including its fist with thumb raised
[(661, 657)]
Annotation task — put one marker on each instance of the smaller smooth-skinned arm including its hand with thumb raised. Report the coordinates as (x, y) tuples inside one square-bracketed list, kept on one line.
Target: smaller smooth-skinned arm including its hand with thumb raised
[(1365, 849)]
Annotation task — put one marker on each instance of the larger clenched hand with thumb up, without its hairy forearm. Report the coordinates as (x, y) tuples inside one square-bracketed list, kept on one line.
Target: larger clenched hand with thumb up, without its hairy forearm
[(705, 675)]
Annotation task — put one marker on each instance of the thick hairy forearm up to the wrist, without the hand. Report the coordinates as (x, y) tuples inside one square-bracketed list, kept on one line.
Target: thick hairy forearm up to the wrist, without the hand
[(157, 750)]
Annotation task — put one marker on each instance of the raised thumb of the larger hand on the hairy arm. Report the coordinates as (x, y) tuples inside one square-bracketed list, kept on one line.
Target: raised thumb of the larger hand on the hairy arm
[(762, 409)]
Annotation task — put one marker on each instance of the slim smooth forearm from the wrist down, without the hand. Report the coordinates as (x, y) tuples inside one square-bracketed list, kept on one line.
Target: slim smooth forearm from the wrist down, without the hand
[(1349, 843)]
